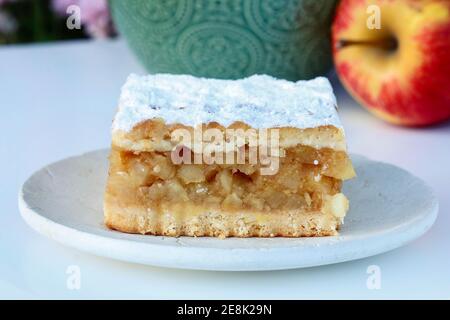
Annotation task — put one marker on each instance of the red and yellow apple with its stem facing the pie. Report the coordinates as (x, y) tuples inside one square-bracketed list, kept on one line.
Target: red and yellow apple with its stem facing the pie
[(401, 70)]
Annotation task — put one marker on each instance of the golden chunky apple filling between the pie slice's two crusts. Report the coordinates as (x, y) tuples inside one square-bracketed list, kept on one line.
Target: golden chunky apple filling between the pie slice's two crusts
[(308, 181)]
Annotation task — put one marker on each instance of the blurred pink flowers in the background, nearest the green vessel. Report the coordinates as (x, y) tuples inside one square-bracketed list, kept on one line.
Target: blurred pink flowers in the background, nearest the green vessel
[(94, 15)]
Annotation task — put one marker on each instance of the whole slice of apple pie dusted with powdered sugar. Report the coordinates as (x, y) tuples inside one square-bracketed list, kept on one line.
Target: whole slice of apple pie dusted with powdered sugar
[(257, 157)]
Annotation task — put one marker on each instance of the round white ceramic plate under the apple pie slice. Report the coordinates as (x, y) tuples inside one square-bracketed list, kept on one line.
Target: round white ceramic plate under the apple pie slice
[(389, 208)]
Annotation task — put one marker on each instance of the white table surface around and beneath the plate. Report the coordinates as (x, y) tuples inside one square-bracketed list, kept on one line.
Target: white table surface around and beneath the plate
[(58, 100)]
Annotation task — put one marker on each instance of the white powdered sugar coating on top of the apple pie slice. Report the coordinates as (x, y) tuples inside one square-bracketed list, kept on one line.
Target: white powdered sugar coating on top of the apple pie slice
[(260, 101)]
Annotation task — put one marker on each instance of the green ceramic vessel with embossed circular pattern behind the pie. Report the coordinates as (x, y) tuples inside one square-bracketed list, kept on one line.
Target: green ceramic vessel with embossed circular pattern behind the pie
[(229, 39)]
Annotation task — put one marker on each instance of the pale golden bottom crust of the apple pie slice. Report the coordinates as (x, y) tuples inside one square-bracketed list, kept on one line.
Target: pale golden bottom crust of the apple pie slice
[(219, 224)]
